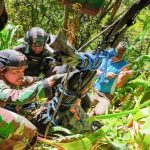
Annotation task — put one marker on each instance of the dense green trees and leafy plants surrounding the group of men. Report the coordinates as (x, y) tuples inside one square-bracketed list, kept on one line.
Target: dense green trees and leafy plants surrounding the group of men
[(126, 126)]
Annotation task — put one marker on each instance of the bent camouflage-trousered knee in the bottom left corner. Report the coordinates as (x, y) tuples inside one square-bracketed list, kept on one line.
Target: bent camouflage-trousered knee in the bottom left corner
[(16, 132)]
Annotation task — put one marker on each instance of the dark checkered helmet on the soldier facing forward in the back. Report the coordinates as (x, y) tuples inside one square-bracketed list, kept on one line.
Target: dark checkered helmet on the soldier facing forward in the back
[(36, 36)]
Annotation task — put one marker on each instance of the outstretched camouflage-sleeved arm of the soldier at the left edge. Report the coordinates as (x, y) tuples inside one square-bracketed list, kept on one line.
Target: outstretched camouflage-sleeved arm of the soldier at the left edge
[(41, 89)]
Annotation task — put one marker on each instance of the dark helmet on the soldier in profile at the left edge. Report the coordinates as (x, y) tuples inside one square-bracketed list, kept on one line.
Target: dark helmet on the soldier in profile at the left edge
[(12, 58)]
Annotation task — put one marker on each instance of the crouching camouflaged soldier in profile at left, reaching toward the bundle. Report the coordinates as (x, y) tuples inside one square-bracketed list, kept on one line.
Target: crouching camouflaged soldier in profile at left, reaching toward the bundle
[(16, 130)]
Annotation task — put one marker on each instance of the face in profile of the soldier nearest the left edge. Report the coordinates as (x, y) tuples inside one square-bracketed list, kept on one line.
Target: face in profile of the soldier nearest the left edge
[(15, 76)]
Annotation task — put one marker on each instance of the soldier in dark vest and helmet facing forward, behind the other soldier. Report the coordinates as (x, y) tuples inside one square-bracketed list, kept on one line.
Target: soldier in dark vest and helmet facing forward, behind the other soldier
[(36, 49)]
